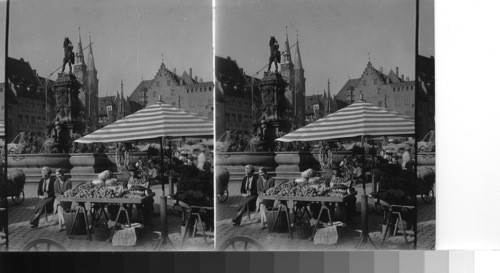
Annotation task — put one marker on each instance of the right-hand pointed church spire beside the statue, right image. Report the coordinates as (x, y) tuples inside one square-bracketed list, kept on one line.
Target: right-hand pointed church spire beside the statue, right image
[(300, 88)]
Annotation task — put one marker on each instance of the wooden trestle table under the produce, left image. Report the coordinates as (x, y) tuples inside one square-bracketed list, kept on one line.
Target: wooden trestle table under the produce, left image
[(80, 208)]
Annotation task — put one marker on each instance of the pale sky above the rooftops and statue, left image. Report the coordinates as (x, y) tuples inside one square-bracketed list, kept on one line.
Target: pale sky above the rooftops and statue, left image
[(129, 37)]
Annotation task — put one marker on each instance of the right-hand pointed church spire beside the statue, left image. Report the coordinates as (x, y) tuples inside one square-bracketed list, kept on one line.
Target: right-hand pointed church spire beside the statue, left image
[(93, 89)]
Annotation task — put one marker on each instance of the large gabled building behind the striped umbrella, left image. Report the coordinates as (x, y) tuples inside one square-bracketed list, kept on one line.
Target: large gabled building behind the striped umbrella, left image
[(184, 91)]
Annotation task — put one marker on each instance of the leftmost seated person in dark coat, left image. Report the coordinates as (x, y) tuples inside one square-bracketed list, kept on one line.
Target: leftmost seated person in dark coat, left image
[(45, 194)]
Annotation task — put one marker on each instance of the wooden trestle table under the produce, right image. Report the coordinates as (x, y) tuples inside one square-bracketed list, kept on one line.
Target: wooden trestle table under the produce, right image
[(321, 199)]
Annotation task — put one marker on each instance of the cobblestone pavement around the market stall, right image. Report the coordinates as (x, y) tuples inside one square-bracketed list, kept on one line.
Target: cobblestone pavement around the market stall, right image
[(348, 237)]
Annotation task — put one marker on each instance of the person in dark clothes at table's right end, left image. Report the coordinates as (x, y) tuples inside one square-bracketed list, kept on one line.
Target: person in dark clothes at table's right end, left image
[(136, 182)]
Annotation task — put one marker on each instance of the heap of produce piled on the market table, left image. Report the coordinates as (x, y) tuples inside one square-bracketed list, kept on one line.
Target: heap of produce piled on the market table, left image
[(91, 190)]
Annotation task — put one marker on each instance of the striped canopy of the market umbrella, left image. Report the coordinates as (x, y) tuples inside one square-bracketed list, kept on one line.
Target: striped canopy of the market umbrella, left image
[(154, 121)]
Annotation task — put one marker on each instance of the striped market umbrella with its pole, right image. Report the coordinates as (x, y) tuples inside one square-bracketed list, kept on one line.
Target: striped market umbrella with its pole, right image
[(360, 119)]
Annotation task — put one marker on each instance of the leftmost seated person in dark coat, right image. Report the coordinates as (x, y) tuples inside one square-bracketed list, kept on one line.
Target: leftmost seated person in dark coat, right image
[(249, 192)]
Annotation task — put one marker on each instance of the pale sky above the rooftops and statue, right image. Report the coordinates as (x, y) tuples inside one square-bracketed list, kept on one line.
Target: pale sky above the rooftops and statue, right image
[(337, 38)]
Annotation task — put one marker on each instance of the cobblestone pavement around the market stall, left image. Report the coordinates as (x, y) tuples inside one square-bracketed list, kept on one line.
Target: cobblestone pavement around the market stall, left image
[(21, 233)]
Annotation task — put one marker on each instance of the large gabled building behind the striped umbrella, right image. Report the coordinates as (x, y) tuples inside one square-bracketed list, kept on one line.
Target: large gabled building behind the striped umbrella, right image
[(391, 91)]
